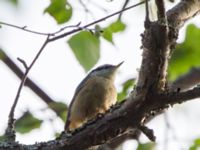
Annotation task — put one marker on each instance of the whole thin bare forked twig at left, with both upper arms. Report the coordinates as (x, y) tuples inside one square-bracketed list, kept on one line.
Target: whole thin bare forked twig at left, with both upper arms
[(10, 132)]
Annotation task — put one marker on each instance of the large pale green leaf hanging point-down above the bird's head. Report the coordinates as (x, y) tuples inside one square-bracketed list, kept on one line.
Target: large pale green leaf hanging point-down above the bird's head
[(86, 48)]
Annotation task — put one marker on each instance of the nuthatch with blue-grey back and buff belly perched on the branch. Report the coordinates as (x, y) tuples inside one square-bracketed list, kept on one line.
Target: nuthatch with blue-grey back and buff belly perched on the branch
[(94, 95)]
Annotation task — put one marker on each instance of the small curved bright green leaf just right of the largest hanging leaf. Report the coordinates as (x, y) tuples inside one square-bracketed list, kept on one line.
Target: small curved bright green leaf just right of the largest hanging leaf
[(114, 27)]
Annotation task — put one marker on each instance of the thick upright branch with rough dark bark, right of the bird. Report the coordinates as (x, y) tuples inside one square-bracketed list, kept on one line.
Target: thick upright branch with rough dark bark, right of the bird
[(155, 44)]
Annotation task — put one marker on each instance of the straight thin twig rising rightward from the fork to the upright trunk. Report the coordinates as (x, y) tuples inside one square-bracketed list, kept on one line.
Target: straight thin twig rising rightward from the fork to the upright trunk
[(92, 23)]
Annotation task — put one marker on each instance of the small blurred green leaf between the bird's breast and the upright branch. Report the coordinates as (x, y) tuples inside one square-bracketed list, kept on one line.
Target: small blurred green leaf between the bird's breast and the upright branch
[(127, 87)]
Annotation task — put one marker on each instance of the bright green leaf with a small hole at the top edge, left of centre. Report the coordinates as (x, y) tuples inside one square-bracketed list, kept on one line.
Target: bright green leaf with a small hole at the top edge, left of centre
[(60, 10)]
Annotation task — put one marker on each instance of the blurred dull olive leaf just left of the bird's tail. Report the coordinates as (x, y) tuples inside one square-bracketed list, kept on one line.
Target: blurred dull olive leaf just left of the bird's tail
[(61, 108)]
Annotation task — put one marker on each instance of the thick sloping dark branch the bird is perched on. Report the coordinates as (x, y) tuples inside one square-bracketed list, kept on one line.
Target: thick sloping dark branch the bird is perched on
[(114, 123)]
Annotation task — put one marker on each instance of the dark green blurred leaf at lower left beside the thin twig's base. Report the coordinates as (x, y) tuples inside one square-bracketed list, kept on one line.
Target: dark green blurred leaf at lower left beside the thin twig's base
[(26, 123)]
